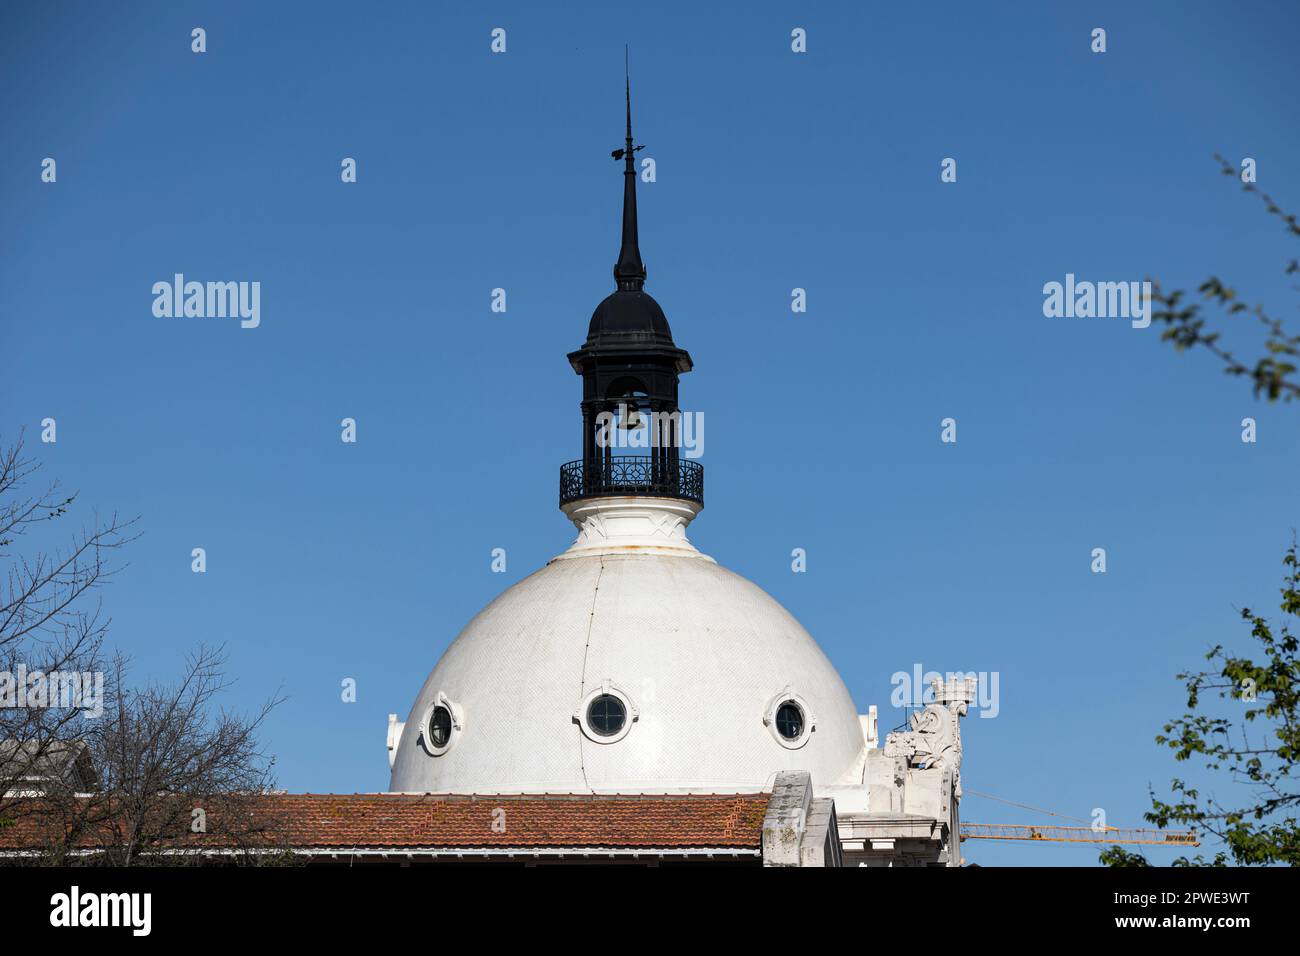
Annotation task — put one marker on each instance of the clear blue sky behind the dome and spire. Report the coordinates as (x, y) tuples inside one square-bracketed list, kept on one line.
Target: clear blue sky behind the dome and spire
[(775, 171)]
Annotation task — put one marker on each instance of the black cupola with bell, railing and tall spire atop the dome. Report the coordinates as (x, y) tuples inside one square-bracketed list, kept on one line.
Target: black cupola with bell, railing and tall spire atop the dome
[(630, 367)]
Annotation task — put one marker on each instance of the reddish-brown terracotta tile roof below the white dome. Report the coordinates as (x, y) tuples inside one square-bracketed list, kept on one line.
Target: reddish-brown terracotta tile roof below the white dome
[(323, 821)]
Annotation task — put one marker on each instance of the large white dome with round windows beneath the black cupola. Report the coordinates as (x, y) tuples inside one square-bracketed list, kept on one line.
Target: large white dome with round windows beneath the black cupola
[(700, 656)]
